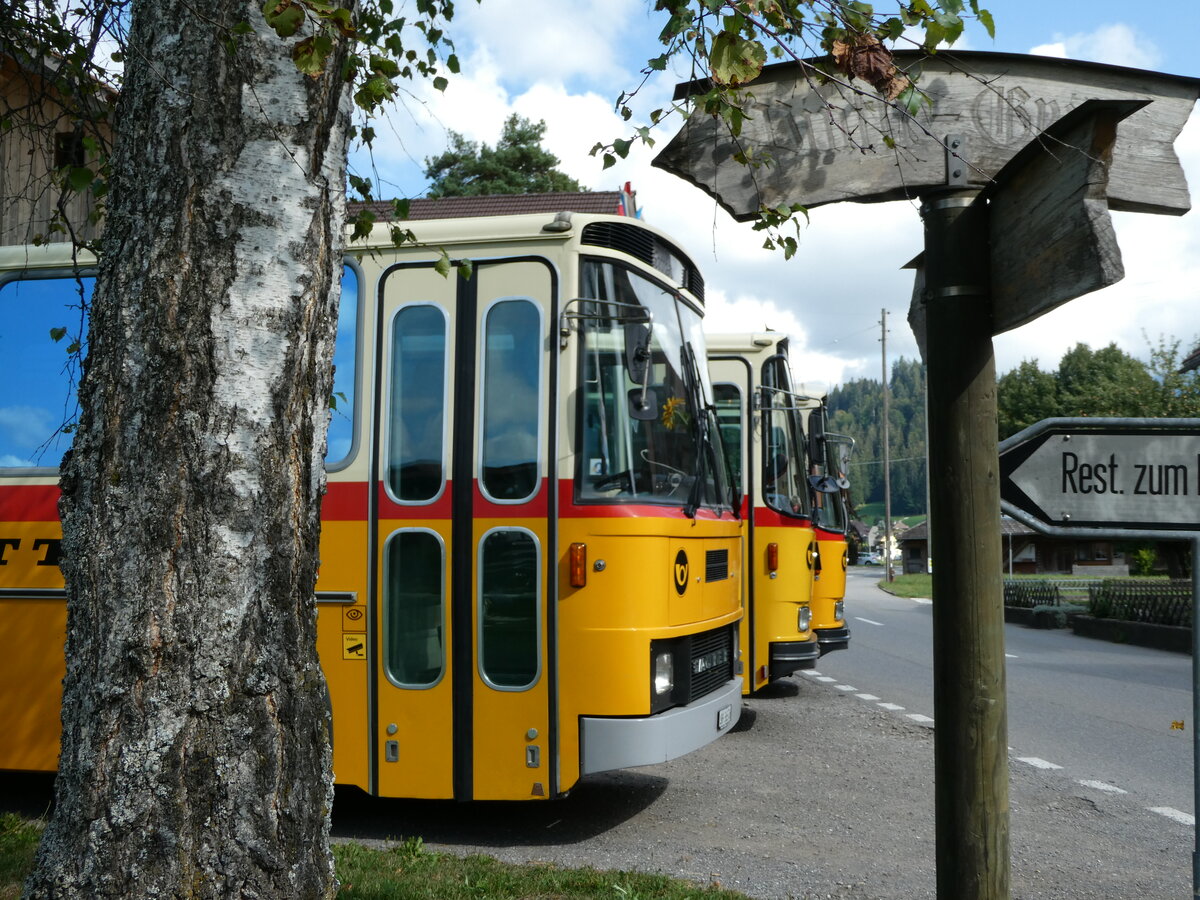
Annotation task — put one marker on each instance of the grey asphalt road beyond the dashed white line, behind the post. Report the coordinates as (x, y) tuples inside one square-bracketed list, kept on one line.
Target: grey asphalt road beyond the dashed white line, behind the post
[(1105, 713)]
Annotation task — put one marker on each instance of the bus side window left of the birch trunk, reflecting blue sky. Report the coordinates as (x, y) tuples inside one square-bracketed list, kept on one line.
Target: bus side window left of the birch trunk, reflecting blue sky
[(38, 392)]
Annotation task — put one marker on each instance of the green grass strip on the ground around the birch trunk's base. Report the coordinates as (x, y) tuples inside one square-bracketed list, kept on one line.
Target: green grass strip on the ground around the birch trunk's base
[(409, 872)]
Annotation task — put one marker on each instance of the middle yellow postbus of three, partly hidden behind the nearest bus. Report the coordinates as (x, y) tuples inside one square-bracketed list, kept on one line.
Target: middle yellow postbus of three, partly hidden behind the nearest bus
[(763, 425)]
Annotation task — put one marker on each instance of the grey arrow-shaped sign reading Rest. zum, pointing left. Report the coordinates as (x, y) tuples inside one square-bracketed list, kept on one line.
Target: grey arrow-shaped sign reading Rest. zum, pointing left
[(1138, 475)]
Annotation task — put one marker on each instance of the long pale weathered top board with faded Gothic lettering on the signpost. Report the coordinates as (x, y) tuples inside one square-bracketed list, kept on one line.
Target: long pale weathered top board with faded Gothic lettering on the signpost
[(827, 142)]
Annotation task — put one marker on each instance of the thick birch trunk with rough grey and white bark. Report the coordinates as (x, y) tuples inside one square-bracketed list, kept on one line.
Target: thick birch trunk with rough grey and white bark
[(196, 729)]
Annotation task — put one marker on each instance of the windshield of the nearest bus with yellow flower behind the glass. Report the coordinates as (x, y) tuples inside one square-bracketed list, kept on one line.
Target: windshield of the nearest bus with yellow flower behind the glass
[(649, 427)]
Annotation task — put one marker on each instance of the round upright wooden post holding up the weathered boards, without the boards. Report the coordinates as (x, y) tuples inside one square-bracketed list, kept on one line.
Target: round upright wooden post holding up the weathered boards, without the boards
[(971, 740)]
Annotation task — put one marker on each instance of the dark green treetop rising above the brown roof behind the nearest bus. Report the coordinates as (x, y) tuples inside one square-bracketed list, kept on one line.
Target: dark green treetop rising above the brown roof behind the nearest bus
[(517, 165)]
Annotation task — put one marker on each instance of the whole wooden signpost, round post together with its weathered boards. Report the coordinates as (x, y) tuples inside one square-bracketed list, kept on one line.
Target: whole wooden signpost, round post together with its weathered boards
[(1017, 161)]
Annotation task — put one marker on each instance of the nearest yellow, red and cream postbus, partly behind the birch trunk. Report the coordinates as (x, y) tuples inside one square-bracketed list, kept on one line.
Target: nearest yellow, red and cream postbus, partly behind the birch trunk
[(531, 559)]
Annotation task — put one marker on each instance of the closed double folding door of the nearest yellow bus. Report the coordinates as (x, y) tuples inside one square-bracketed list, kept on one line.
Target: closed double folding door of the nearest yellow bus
[(463, 681)]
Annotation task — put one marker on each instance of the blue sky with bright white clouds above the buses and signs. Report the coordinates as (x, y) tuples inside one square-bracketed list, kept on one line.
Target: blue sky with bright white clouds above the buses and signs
[(567, 61)]
